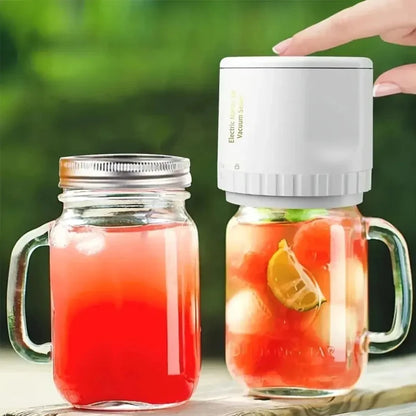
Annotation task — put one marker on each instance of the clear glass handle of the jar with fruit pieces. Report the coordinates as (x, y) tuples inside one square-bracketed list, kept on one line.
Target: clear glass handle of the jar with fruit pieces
[(381, 342)]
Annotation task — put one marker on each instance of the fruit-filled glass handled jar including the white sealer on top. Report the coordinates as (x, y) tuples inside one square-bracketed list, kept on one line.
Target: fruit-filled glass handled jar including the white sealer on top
[(295, 153)]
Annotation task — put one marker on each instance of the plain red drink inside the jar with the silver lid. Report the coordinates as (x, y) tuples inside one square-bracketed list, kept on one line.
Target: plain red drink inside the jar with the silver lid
[(125, 318)]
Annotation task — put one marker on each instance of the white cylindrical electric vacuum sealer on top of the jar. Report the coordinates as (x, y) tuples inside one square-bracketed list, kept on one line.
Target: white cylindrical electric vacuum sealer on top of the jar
[(295, 132)]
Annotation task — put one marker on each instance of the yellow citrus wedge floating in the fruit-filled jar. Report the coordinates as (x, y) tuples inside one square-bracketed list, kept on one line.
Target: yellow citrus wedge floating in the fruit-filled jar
[(291, 283)]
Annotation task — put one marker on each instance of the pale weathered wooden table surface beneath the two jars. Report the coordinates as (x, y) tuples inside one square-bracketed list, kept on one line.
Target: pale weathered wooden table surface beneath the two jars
[(388, 389)]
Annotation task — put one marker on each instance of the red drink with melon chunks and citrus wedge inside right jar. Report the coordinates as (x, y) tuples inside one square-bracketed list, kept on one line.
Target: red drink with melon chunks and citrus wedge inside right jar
[(296, 304)]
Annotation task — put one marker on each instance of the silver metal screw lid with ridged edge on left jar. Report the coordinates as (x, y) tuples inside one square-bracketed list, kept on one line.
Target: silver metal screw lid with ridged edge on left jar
[(133, 170)]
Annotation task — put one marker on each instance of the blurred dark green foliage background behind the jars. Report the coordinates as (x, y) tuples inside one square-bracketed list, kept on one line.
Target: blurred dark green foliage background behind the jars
[(91, 76)]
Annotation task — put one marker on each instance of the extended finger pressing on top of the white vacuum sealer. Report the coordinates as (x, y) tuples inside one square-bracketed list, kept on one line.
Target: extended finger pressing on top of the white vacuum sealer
[(365, 19)]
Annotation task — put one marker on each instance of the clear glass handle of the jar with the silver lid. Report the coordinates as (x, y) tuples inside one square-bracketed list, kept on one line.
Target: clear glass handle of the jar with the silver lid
[(16, 294)]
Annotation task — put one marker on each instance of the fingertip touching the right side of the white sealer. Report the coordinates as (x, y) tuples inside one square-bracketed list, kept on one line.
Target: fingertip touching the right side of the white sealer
[(400, 79)]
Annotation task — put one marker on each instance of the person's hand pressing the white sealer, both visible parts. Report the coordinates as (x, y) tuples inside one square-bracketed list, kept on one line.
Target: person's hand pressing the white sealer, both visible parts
[(393, 20)]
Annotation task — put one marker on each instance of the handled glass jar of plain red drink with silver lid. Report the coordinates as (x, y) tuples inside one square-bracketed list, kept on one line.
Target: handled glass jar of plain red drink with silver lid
[(124, 279)]
